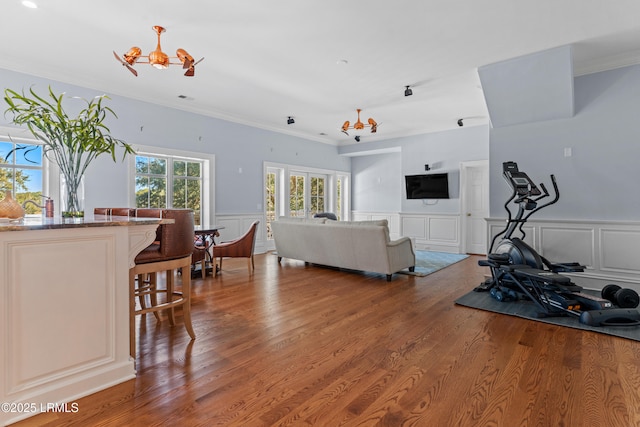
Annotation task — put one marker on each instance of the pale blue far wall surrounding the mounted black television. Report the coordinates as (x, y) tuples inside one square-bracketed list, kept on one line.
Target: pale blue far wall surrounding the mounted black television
[(379, 178)]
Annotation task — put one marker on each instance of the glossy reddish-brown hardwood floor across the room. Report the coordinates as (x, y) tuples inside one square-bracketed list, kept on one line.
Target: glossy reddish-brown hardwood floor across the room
[(310, 346)]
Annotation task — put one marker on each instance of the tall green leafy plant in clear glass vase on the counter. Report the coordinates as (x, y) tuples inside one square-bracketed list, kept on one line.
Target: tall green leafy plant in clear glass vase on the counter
[(72, 142)]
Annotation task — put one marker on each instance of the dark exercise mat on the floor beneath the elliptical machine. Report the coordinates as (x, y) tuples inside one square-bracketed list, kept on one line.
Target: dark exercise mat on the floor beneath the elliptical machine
[(528, 310)]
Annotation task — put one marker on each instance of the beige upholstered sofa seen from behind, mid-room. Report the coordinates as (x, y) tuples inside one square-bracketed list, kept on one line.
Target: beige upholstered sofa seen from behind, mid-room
[(355, 245)]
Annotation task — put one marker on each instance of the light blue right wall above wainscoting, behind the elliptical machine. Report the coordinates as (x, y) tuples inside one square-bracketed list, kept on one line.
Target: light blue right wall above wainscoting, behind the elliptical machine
[(600, 180)]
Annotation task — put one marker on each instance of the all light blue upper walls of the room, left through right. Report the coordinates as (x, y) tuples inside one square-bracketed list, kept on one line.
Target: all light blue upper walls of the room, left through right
[(598, 182)]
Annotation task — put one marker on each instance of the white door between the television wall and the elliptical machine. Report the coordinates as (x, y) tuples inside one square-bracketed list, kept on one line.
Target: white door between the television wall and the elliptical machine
[(475, 206)]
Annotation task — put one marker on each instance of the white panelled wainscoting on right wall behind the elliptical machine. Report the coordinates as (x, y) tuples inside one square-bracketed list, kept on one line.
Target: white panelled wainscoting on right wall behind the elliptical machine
[(607, 248)]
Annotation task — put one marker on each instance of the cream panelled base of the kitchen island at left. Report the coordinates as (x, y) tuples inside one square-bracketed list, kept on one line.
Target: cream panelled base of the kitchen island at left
[(64, 313)]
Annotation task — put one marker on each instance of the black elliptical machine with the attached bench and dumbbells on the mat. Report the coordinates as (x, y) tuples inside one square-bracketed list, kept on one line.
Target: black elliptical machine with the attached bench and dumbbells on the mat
[(519, 272)]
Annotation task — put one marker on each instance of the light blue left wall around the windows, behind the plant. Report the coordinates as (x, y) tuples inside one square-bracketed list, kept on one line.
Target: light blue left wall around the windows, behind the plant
[(234, 146)]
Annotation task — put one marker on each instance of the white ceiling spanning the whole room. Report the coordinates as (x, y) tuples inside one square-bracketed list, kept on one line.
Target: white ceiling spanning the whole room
[(315, 60)]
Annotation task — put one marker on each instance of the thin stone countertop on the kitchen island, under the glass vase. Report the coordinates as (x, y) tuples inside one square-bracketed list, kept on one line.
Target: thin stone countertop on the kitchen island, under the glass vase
[(40, 223)]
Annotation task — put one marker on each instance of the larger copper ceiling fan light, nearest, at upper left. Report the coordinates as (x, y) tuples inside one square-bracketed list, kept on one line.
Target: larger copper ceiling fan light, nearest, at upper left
[(157, 58)]
